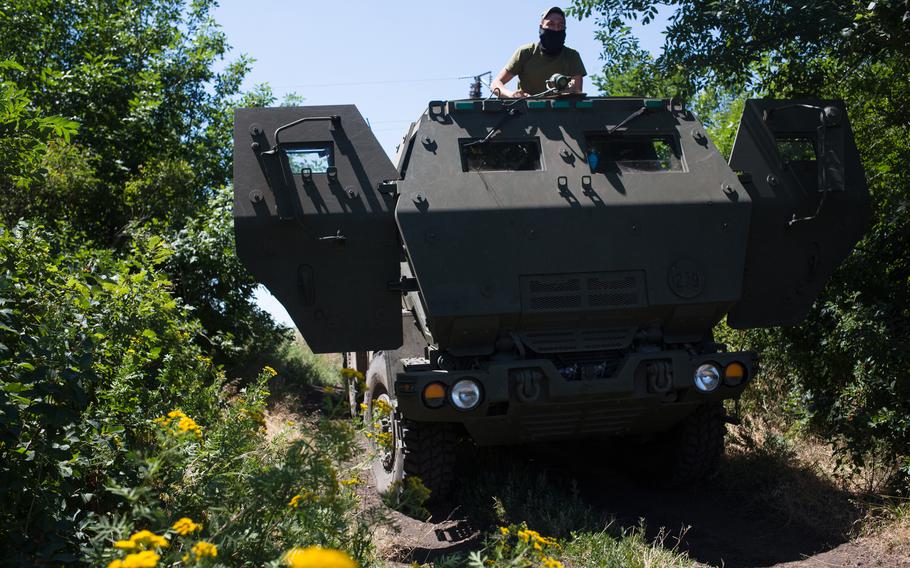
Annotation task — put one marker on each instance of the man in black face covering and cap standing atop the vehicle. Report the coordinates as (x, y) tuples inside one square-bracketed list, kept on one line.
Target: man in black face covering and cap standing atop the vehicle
[(534, 63)]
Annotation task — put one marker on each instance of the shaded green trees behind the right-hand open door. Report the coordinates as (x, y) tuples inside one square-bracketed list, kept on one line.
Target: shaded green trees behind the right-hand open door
[(843, 373)]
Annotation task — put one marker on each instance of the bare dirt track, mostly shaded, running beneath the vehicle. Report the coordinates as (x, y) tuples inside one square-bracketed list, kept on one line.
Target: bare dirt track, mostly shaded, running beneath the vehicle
[(718, 527)]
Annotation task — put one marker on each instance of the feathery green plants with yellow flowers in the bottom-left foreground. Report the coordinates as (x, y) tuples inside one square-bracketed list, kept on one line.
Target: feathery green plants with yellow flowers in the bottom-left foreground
[(253, 498)]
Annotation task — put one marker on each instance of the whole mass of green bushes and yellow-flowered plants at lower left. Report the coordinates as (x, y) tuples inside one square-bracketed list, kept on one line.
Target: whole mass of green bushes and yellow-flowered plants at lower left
[(104, 385)]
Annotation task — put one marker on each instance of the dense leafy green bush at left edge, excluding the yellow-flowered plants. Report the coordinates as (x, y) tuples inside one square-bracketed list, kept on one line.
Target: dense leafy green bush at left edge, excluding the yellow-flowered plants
[(90, 345)]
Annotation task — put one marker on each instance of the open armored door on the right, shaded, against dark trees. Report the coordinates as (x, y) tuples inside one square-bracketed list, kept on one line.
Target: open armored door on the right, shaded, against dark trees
[(810, 205)]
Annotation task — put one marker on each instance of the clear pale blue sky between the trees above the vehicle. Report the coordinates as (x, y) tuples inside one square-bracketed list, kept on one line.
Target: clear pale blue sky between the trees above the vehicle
[(390, 58)]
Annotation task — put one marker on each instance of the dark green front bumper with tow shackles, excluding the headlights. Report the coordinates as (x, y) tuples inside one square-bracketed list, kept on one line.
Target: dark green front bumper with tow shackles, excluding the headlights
[(528, 400)]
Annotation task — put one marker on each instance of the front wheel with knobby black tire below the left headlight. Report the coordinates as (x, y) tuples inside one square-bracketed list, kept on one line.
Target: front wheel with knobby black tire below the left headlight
[(420, 449)]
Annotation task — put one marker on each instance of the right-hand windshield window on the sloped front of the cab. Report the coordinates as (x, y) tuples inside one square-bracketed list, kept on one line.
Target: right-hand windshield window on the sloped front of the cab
[(633, 154)]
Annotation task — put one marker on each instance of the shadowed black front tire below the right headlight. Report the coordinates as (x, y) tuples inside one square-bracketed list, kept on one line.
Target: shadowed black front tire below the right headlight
[(697, 445)]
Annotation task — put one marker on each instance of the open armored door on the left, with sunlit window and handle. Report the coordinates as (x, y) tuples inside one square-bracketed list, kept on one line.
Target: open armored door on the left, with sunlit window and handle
[(312, 224)]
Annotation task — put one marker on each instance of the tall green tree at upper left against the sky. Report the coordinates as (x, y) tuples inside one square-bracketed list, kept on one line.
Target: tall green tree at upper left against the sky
[(153, 149)]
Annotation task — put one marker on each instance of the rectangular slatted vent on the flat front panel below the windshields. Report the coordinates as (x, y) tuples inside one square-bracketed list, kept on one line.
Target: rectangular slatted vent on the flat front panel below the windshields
[(594, 291)]
